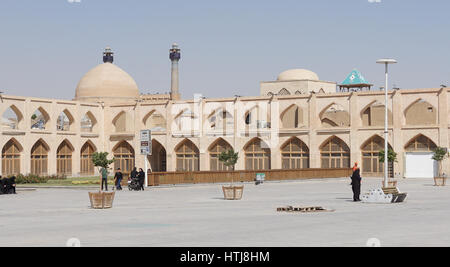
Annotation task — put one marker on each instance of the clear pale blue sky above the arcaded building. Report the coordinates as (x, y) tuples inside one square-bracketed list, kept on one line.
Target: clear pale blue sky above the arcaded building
[(228, 46)]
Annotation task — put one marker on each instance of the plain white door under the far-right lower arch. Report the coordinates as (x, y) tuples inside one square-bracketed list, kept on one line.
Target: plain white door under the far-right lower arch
[(420, 165)]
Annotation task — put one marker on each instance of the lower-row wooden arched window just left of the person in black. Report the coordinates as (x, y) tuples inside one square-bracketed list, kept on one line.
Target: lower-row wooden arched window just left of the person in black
[(335, 154)]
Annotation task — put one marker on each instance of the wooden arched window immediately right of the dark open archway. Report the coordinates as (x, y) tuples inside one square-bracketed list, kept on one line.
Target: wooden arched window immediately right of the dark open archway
[(188, 157)]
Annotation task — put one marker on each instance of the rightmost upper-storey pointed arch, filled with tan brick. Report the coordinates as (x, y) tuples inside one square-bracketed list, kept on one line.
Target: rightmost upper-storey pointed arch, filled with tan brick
[(420, 112)]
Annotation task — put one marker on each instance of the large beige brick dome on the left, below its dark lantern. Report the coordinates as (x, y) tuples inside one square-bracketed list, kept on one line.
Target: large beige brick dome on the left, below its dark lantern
[(106, 82)]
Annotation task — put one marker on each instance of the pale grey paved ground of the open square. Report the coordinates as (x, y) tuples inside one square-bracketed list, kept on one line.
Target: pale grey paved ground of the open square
[(198, 216)]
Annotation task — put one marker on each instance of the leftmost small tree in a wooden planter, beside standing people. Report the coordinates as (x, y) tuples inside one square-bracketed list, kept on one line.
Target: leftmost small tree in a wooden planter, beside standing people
[(100, 199)]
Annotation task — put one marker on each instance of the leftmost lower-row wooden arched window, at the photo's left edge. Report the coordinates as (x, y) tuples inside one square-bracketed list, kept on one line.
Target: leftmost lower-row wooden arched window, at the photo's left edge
[(11, 158)]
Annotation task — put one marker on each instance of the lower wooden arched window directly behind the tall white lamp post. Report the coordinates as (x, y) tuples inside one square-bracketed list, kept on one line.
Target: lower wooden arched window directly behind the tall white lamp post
[(370, 156)]
